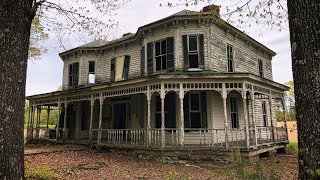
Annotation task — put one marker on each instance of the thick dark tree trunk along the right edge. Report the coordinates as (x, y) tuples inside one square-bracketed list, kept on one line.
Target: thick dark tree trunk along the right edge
[(304, 24)]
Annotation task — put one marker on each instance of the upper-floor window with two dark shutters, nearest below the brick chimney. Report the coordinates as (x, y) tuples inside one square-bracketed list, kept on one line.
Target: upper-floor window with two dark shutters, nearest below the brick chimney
[(193, 50)]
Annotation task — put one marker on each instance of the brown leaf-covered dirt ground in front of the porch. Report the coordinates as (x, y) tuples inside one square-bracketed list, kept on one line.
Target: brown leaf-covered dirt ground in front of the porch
[(76, 162)]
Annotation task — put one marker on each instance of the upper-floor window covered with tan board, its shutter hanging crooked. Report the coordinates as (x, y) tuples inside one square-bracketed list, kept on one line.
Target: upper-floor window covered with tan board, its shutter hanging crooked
[(120, 68)]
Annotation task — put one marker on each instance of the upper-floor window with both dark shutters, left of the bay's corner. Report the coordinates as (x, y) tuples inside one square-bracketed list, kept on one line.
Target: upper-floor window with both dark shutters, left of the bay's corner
[(160, 55)]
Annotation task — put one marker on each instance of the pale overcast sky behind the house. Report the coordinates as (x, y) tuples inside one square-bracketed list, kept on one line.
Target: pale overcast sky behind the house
[(45, 75)]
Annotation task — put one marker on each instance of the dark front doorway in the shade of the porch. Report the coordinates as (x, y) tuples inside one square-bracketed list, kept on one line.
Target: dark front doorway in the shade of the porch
[(120, 115)]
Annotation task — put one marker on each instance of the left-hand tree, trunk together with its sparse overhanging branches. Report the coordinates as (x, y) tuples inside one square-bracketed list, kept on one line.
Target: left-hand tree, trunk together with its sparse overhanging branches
[(15, 24)]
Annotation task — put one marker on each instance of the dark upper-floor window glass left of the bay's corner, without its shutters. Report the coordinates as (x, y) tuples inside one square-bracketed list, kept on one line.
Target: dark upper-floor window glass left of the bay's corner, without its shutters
[(160, 55)]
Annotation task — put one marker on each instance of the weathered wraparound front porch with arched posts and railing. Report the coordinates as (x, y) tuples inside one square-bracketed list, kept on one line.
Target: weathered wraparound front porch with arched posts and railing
[(185, 113)]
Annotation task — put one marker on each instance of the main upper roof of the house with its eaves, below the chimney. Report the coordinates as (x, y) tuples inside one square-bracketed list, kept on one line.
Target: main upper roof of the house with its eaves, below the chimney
[(182, 15)]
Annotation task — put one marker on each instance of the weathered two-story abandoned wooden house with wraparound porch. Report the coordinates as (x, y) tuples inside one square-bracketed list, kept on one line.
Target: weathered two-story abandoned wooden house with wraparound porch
[(190, 80)]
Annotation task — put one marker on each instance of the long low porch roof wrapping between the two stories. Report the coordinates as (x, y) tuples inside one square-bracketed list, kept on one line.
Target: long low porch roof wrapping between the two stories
[(178, 76)]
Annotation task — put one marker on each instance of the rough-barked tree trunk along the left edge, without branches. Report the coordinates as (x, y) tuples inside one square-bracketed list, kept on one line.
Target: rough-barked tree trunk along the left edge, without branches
[(15, 23)]
